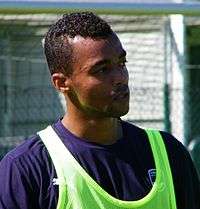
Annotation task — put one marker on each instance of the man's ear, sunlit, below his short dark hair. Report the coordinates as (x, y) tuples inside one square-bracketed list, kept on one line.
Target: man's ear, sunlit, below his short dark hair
[(61, 82)]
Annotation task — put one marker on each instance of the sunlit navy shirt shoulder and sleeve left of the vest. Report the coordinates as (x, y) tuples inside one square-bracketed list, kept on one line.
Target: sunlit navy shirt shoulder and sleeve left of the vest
[(27, 168)]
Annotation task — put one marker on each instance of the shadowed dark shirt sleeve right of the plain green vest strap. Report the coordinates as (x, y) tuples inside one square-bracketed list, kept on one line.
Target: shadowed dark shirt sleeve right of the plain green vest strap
[(185, 177)]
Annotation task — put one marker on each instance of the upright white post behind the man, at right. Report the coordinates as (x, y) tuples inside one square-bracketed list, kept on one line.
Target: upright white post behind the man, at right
[(178, 32)]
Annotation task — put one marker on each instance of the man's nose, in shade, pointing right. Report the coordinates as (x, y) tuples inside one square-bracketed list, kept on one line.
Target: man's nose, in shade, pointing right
[(120, 75)]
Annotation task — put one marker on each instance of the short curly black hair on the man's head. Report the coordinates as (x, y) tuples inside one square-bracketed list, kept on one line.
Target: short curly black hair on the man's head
[(58, 51)]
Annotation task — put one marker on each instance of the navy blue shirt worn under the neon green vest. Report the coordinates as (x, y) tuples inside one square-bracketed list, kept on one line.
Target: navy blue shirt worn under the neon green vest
[(122, 169)]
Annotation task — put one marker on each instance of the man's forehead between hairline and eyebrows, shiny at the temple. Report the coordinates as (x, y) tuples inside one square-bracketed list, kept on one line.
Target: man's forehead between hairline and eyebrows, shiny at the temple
[(87, 50)]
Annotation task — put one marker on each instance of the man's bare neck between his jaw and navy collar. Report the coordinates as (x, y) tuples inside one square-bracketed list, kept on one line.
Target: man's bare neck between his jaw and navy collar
[(98, 130)]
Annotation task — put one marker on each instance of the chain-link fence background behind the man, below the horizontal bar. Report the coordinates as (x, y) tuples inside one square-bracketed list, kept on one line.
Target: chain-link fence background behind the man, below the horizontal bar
[(164, 89)]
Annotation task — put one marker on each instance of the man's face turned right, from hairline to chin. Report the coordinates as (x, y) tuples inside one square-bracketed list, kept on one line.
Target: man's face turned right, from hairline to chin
[(99, 82)]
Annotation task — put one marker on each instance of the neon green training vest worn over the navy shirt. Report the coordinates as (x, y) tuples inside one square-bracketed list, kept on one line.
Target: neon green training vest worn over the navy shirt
[(77, 190)]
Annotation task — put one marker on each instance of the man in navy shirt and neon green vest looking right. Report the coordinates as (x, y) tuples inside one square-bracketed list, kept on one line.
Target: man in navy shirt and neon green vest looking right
[(90, 158)]
